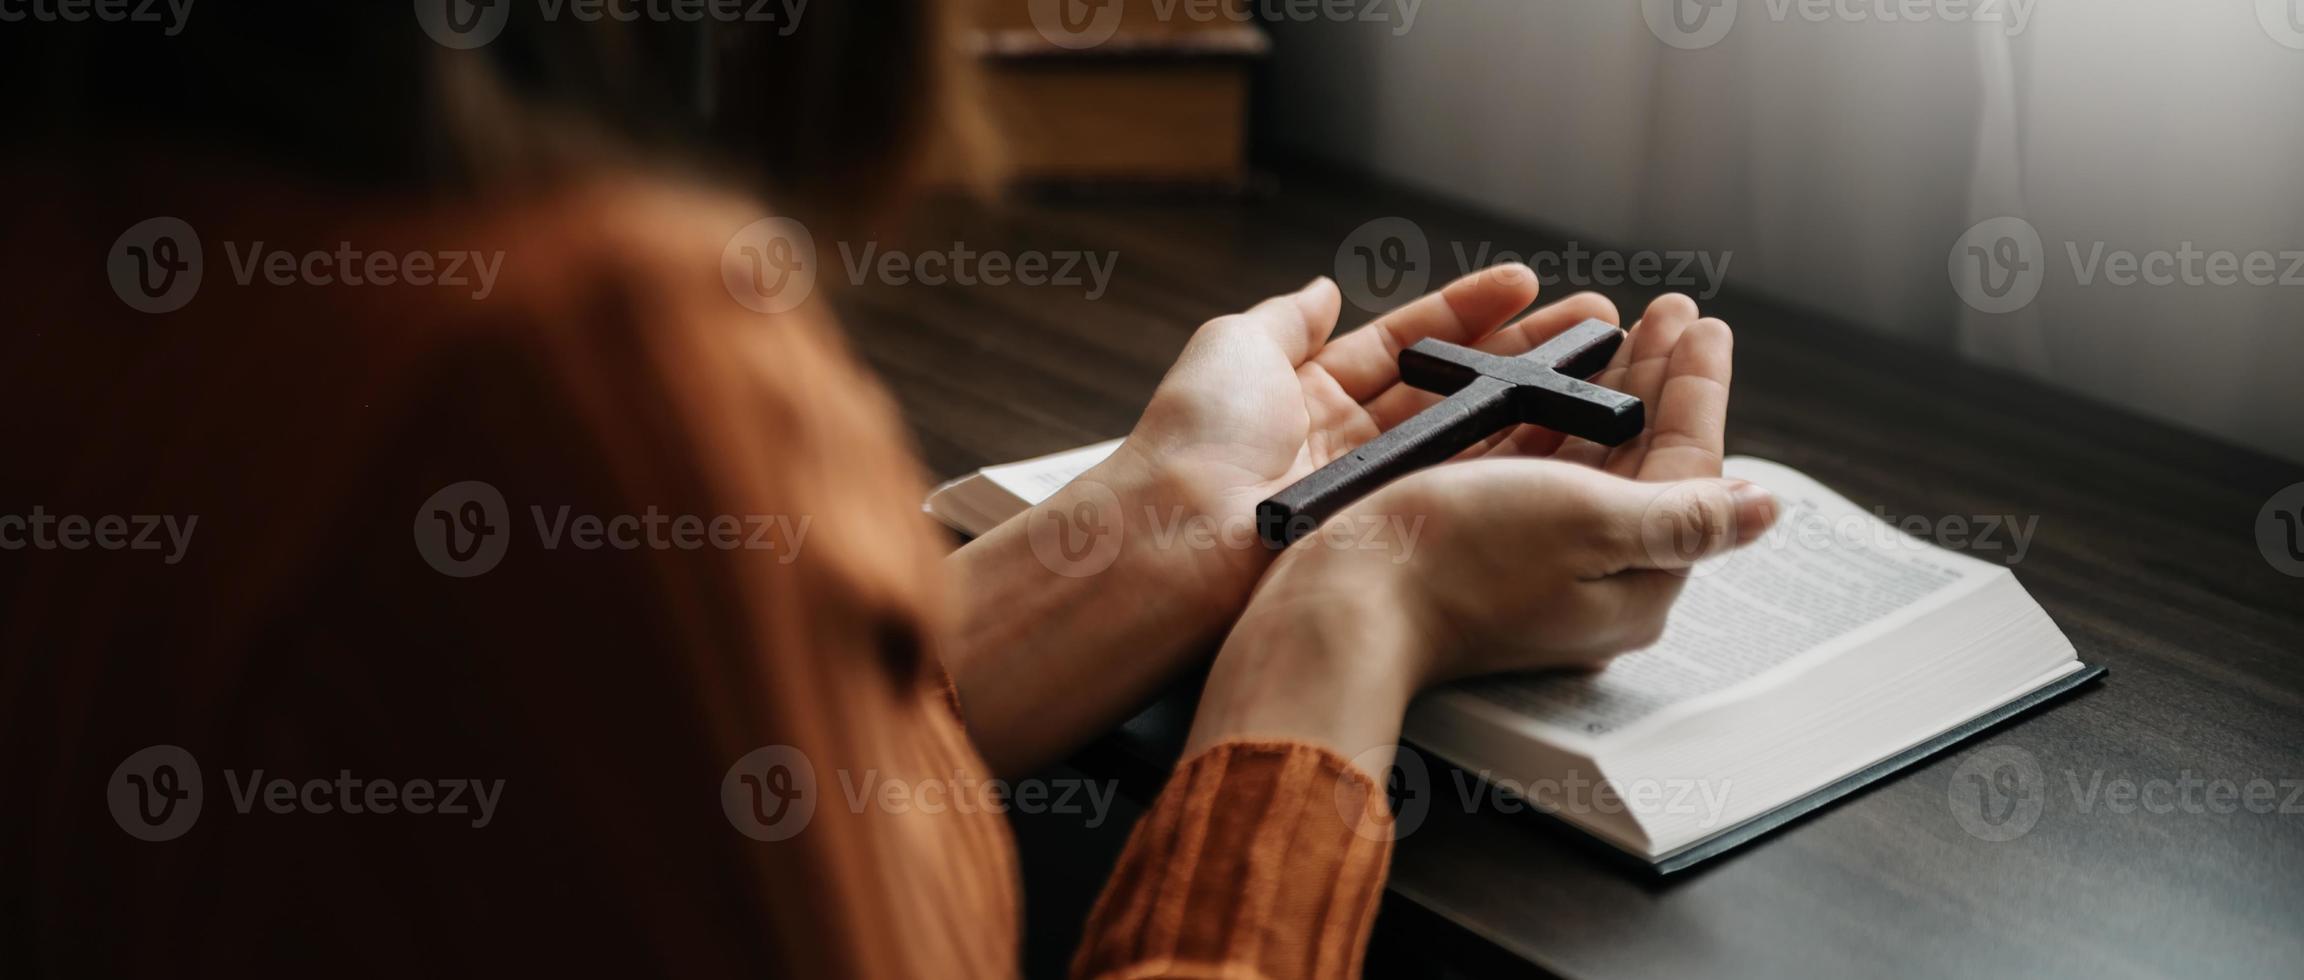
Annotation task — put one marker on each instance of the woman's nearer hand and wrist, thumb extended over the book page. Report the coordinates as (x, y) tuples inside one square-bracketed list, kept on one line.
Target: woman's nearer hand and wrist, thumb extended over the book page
[(1496, 564)]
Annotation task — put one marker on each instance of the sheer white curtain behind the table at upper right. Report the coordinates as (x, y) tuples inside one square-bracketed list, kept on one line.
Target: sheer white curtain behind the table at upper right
[(1842, 158)]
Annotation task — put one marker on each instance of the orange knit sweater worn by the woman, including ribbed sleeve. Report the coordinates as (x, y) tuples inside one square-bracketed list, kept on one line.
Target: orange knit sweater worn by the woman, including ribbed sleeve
[(649, 714)]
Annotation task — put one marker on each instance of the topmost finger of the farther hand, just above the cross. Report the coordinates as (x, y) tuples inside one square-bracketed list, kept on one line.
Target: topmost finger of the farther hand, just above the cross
[(1367, 361)]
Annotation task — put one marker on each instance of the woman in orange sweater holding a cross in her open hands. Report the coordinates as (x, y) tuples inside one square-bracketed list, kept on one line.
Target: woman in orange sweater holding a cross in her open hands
[(312, 686)]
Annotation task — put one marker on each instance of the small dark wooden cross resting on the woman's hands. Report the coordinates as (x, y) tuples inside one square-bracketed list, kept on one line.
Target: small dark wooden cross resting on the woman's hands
[(1485, 395)]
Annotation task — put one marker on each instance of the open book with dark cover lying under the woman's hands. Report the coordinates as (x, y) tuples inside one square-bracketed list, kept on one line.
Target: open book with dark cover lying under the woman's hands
[(1798, 670)]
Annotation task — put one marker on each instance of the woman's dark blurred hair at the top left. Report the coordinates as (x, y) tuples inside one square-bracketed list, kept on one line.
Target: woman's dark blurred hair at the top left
[(838, 110)]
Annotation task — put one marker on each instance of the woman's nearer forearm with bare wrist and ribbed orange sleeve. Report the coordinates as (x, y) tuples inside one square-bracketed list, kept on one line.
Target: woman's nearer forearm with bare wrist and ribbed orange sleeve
[(1266, 852)]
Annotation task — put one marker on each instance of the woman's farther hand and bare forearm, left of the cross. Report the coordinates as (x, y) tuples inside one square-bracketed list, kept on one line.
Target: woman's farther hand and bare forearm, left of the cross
[(1077, 612)]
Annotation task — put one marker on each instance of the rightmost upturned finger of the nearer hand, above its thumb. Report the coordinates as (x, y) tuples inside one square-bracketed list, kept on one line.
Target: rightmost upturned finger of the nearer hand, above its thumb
[(1690, 419)]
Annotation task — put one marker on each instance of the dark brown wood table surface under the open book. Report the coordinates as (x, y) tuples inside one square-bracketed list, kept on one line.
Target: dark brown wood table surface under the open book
[(2146, 555)]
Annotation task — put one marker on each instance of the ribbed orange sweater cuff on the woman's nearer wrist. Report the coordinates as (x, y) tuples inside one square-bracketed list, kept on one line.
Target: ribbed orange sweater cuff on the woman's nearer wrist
[(1264, 859)]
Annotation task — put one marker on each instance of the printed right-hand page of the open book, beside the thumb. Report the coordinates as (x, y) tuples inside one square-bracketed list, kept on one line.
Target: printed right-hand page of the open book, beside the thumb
[(1821, 578)]
